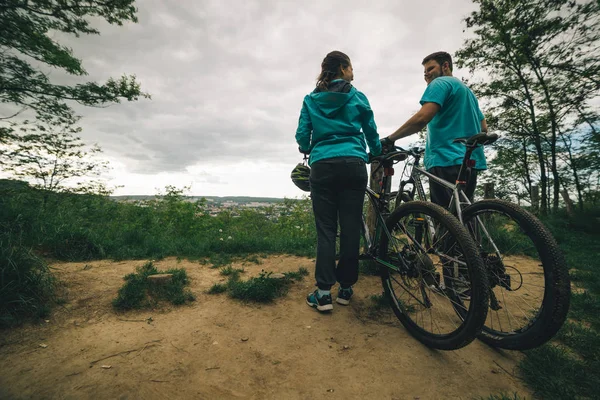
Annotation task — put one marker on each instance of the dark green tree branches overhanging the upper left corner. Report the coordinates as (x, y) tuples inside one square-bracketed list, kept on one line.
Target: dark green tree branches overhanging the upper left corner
[(25, 46)]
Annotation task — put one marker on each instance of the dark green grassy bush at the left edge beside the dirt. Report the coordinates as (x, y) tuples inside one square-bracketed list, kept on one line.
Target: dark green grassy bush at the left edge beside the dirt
[(26, 284)]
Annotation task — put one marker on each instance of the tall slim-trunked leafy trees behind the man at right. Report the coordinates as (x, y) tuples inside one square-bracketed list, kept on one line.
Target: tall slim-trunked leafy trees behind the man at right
[(541, 61)]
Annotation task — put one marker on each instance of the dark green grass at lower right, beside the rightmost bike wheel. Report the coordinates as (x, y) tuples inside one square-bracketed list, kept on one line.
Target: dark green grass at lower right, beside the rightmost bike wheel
[(569, 366)]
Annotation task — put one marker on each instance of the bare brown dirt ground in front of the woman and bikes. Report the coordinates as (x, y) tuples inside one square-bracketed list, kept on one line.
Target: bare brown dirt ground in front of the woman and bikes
[(219, 348)]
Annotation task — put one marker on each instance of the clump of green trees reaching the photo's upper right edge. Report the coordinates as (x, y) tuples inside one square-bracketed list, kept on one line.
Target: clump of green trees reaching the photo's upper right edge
[(539, 61)]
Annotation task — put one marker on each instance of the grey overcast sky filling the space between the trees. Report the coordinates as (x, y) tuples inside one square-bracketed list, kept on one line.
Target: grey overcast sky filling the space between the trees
[(227, 79)]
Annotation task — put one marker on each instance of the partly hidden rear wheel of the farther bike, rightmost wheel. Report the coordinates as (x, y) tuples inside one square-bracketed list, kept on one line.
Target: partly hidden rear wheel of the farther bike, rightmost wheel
[(513, 244)]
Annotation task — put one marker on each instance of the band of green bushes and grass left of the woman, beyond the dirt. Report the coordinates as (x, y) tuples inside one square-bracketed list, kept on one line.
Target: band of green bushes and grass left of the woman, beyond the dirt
[(83, 227)]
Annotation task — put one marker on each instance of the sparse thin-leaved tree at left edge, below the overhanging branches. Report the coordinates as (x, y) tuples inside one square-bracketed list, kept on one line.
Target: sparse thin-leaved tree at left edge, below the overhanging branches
[(54, 156)]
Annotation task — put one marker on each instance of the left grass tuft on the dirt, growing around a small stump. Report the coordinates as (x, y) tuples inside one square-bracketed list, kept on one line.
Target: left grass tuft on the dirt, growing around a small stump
[(138, 292)]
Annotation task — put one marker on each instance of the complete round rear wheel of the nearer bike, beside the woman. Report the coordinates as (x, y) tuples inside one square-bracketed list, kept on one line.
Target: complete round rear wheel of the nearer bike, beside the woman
[(433, 275)]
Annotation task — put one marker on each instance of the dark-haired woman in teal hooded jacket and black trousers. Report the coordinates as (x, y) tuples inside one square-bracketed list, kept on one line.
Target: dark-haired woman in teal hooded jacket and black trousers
[(336, 124)]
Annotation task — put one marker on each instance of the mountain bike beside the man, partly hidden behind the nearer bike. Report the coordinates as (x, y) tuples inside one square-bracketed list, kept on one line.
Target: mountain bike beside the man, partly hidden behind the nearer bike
[(529, 285)]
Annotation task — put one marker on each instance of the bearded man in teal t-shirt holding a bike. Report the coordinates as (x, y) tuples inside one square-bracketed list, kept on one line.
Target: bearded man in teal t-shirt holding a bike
[(451, 111)]
